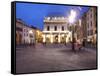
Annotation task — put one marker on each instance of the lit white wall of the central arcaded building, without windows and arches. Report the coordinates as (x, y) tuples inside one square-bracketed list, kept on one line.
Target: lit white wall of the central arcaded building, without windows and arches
[(52, 33)]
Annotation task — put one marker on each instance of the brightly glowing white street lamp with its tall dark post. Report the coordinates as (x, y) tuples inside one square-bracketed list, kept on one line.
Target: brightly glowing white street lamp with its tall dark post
[(72, 18)]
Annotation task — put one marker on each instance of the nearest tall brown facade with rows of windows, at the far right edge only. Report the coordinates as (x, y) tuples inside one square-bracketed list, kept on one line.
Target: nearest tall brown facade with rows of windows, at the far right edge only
[(91, 25)]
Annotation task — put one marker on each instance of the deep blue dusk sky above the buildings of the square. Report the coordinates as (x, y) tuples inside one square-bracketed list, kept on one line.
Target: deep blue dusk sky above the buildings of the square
[(33, 14)]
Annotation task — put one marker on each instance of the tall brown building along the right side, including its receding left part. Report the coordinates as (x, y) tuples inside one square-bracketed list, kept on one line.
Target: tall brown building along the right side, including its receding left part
[(89, 26)]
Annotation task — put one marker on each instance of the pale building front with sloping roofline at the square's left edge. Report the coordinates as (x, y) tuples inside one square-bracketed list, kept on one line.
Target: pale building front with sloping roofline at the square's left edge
[(24, 33)]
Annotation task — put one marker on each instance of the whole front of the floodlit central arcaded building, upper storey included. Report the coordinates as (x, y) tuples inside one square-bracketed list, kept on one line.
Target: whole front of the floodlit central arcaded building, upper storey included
[(56, 30)]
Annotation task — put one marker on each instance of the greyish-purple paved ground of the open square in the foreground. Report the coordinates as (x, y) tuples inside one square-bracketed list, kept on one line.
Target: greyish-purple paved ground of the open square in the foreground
[(55, 57)]
